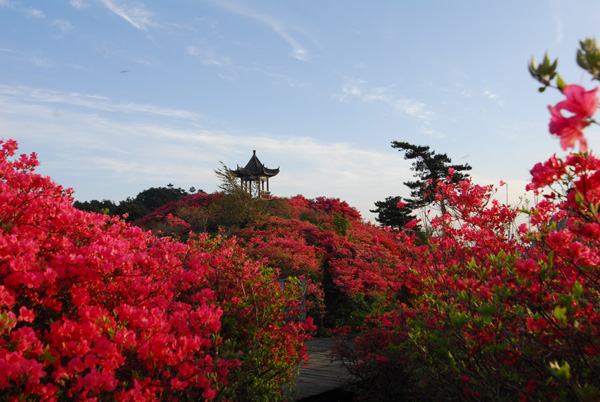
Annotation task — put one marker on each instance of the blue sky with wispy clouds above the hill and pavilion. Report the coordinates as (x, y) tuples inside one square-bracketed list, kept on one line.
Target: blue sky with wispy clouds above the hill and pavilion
[(116, 96)]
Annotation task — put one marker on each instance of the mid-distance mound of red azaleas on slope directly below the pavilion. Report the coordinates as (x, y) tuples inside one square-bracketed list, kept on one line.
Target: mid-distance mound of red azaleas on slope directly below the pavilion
[(351, 263)]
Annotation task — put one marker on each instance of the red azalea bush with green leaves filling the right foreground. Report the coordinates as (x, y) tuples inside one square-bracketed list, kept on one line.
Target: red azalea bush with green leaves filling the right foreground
[(499, 313)]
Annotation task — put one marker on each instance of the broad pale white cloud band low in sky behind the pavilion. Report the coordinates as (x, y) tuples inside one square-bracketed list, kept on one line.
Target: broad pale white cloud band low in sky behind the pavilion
[(101, 155)]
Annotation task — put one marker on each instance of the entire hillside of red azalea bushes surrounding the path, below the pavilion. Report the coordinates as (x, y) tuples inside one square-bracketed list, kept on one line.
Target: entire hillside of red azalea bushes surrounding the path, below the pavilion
[(213, 296)]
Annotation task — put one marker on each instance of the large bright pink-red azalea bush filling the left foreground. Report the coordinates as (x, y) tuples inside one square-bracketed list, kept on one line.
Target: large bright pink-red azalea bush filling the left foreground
[(93, 308)]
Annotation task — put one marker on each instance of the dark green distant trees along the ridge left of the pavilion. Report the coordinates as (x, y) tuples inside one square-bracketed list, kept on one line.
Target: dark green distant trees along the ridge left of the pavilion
[(139, 206)]
